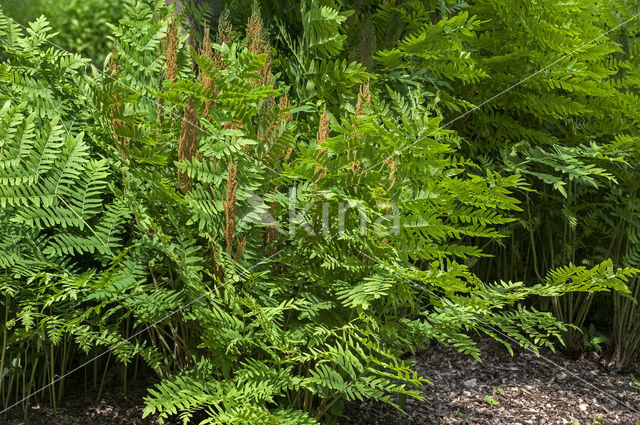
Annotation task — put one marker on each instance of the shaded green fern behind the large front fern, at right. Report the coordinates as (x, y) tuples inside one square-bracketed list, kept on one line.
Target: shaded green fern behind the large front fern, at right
[(545, 91)]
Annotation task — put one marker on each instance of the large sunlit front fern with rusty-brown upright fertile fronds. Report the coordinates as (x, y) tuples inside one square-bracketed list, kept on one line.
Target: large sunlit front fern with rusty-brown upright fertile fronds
[(269, 250)]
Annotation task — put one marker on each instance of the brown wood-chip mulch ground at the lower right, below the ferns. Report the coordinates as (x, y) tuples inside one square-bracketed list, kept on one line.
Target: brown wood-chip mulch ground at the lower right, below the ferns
[(507, 390)]
